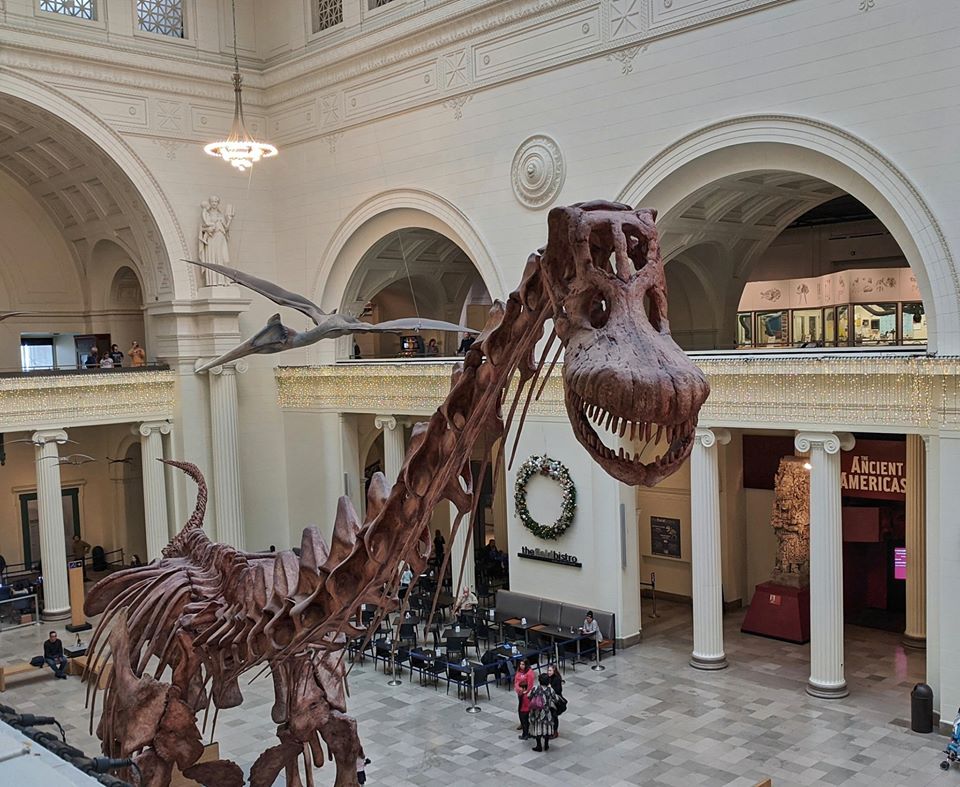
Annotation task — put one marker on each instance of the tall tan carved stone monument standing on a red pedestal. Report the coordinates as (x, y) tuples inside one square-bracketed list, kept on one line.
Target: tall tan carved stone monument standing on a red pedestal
[(791, 523)]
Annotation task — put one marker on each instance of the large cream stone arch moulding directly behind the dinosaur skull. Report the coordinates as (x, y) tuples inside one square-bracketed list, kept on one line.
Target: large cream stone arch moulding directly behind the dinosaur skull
[(814, 148)]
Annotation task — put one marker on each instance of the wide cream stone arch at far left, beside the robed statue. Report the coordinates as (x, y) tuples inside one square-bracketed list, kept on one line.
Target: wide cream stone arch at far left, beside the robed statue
[(156, 233)]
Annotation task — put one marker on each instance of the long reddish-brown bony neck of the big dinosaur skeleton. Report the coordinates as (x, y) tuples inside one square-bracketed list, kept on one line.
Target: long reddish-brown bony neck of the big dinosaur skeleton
[(397, 528)]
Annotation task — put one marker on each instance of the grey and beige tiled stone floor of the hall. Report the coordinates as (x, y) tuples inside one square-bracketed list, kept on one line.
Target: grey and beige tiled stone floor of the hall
[(648, 719)]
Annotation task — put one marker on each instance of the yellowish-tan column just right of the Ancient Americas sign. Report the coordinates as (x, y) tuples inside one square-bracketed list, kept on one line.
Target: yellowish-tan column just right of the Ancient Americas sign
[(915, 633)]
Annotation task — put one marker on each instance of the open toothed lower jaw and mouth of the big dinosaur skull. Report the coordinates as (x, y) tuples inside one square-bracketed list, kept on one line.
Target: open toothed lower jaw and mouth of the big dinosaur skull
[(597, 428)]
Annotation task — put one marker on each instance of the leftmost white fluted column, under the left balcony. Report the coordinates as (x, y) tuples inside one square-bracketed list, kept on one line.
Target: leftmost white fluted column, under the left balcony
[(53, 542)]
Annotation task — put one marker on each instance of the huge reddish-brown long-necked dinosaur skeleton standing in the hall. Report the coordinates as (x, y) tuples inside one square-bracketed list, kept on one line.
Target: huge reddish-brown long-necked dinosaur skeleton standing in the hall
[(207, 613)]
